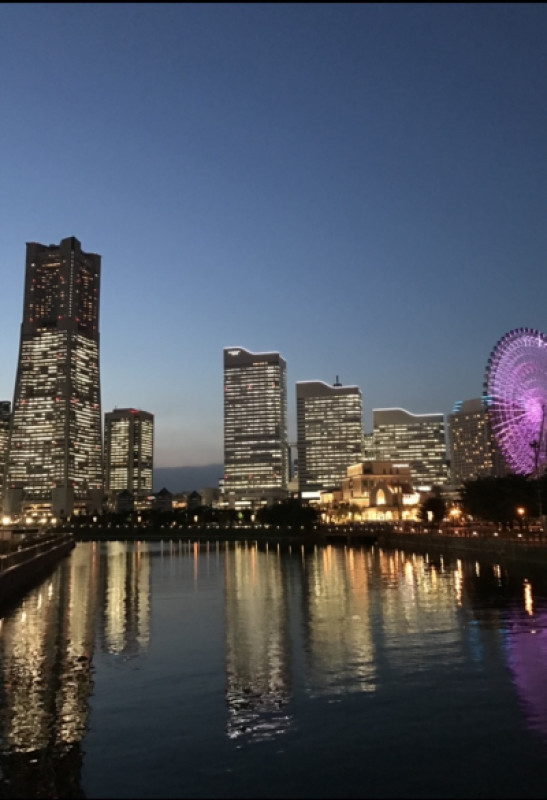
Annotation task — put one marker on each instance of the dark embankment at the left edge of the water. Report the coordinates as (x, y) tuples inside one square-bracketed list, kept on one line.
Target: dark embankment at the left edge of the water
[(24, 568)]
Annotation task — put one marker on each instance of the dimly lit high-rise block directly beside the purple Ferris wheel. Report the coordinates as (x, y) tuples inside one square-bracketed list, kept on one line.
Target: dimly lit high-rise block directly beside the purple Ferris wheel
[(473, 450)]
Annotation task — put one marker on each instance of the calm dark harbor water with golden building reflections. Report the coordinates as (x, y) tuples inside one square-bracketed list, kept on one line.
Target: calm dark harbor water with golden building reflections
[(173, 669)]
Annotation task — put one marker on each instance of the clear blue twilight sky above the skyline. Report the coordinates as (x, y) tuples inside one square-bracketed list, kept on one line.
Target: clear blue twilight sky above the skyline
[(362, 188)]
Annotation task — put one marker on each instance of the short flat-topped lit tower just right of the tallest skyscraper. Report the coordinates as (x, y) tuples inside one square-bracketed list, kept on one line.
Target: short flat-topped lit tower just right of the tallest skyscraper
[(129, 453)]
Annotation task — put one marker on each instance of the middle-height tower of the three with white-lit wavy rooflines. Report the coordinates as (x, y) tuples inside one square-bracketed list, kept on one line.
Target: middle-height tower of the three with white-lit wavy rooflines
[(329, 421)]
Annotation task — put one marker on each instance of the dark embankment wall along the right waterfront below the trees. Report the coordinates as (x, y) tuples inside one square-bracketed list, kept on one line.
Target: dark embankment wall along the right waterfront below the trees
[(502, 550)]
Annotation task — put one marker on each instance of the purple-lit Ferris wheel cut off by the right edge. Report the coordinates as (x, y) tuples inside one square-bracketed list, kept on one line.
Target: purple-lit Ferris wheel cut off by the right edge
[(516, 389)]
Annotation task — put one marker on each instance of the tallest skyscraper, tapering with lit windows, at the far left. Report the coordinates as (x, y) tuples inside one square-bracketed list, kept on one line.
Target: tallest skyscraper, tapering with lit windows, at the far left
[(55, 448)]
